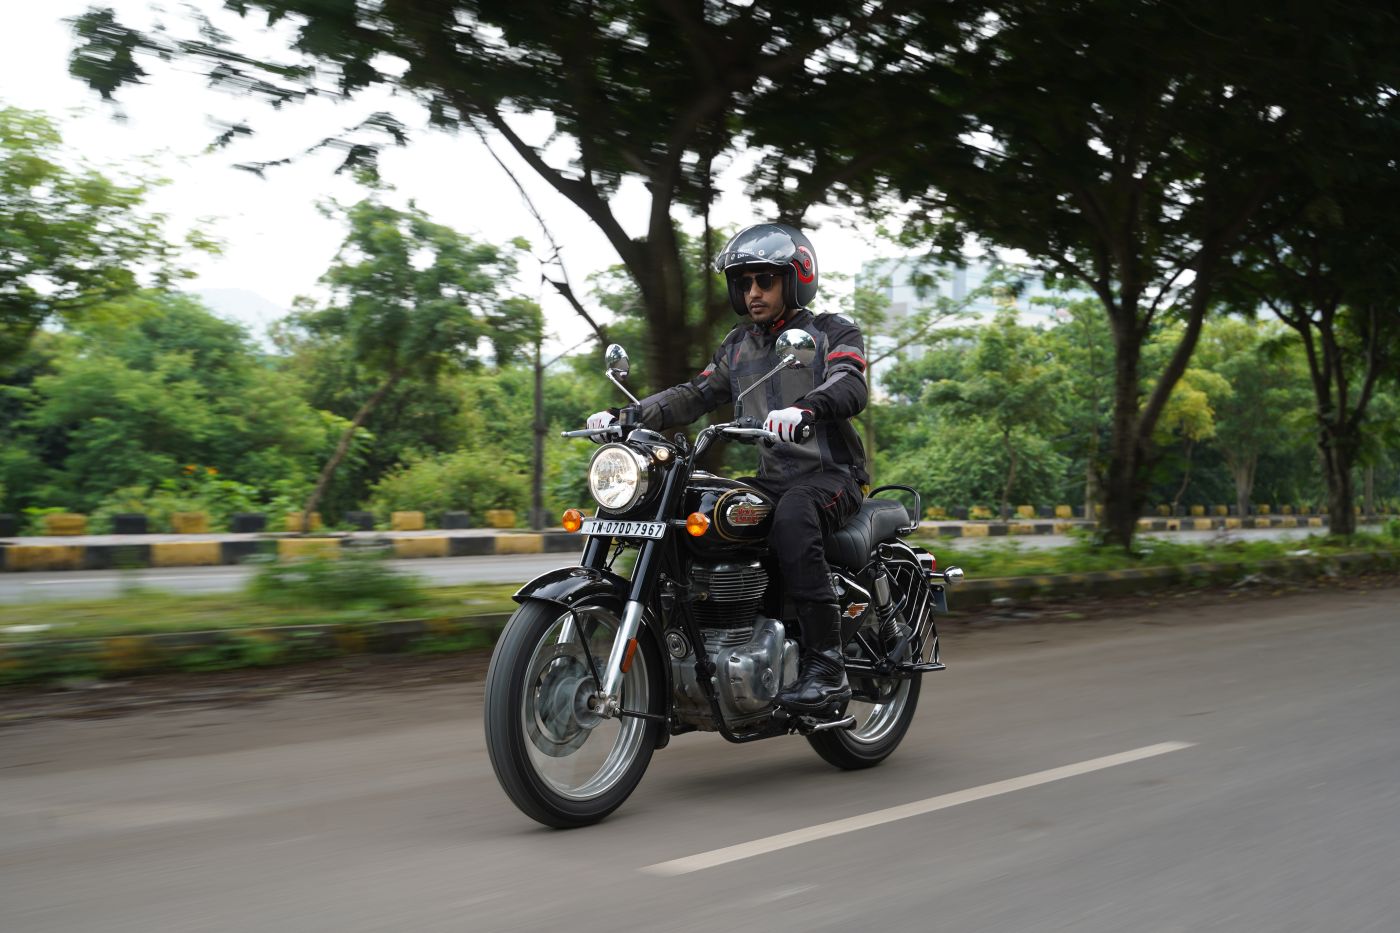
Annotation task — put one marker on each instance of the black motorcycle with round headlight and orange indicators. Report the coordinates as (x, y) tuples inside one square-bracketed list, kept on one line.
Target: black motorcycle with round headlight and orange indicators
[(597, 670)]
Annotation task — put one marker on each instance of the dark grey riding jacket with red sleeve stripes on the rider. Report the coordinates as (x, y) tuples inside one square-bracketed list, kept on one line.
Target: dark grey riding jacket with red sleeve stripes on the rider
[(832, 389)]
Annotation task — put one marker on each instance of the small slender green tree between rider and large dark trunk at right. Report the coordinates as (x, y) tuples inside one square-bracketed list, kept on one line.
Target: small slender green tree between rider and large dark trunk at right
[(1013, 385)]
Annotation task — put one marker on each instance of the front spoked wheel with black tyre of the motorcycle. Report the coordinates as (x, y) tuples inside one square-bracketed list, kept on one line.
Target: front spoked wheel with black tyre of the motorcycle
[(555, 757)]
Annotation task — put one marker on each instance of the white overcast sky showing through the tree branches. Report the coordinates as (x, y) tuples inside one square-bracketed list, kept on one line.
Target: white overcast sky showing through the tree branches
[(276, 242)]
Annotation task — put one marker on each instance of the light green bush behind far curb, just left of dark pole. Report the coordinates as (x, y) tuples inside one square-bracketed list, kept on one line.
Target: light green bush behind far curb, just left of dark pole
[(463, 480)]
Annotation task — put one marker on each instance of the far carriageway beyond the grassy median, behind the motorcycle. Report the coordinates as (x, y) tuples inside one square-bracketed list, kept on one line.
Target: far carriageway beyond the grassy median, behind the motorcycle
[(27, 588)]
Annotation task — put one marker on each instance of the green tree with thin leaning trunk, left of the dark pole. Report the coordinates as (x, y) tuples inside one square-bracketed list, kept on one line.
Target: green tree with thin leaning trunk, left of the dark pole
[(412, 299)]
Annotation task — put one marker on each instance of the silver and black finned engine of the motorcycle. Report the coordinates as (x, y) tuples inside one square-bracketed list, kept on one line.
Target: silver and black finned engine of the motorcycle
[(752, 654)]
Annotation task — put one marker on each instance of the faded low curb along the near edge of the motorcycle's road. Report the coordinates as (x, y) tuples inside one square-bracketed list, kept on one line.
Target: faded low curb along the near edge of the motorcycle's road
[(38, 662)]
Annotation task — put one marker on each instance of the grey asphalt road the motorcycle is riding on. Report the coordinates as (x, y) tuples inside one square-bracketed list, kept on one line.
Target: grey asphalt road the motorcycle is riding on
[(376, 809)]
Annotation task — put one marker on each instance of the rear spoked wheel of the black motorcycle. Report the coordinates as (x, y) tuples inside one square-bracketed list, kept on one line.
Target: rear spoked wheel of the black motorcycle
[(883, 708)]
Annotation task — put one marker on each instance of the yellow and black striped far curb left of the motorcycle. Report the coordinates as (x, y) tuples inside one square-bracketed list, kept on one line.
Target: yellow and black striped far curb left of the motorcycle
[(198, 554)]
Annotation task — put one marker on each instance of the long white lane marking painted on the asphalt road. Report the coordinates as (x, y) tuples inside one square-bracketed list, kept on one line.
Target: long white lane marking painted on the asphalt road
[(904, 812)]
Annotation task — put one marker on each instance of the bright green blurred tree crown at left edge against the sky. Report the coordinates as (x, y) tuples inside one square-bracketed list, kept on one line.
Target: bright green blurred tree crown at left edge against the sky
[(72, 237)]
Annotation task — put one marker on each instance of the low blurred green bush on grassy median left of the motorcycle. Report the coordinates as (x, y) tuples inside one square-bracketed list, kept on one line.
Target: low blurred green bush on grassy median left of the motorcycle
[(352, 581)]
